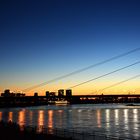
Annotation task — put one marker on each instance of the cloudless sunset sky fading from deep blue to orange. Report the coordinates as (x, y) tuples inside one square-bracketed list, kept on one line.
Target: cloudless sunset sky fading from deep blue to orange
[(43, 39)]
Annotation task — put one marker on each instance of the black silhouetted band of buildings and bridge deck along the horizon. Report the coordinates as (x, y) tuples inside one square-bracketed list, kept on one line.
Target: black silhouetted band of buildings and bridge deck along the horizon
[(10, 99)]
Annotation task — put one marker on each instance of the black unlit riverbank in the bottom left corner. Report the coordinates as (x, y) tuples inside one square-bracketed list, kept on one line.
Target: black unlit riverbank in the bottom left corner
[(9, 130)]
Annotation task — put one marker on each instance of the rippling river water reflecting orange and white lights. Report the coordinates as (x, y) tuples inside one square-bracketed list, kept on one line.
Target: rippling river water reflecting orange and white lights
[(111, 119)]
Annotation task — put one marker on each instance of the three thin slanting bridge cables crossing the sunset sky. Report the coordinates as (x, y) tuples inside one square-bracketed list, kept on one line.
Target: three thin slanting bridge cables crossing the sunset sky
[(95, 78)]
